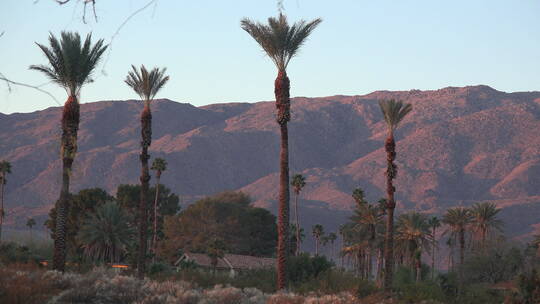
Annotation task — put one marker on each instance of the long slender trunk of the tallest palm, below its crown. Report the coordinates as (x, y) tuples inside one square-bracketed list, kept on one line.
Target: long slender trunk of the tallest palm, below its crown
[(281, 91)]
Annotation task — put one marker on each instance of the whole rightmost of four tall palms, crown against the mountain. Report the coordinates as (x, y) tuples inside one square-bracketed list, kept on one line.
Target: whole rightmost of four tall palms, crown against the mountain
[(393, 112)]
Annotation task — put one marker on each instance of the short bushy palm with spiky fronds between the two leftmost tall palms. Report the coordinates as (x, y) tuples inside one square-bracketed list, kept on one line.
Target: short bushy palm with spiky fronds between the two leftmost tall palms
[(106, 233)]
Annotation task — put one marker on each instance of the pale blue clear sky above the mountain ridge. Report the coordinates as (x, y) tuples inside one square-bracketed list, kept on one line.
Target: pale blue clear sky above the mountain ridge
[(361, 46)]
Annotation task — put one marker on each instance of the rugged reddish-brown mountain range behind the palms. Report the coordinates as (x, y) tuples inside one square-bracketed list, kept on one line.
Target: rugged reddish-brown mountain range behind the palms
[(457, 147)]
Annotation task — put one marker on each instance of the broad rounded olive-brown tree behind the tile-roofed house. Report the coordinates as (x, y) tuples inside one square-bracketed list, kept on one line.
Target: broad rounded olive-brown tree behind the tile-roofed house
[(227, 216)]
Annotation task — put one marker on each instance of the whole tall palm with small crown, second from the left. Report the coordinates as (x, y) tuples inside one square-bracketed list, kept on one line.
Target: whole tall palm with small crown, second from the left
[(146, 84)]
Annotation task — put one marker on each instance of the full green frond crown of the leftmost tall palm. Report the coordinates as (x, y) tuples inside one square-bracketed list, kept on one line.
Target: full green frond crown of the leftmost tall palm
[(71, 62)]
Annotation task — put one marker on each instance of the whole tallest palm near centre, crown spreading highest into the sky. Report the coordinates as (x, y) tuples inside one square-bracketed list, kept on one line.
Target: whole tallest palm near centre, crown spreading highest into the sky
[(281, 43)]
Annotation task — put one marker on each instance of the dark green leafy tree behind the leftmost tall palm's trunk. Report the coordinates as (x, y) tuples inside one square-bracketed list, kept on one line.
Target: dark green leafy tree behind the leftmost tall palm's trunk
[(82, 204)]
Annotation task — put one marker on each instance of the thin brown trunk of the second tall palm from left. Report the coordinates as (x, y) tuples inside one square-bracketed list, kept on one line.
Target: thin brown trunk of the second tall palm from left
[(146, 134)]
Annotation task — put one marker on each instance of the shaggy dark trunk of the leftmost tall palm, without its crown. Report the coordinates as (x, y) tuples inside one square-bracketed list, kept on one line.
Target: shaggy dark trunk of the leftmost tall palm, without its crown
[(70, 128)]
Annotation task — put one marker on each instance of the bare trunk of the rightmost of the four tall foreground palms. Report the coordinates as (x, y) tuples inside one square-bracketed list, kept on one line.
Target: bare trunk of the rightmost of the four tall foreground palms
[(390, 147)]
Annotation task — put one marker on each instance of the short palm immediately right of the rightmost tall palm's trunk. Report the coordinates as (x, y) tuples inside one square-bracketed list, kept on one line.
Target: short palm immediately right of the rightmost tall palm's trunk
[(412, 235)]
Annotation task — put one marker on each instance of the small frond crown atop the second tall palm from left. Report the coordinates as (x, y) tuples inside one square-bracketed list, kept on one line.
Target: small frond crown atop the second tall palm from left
[(146, 84)]
